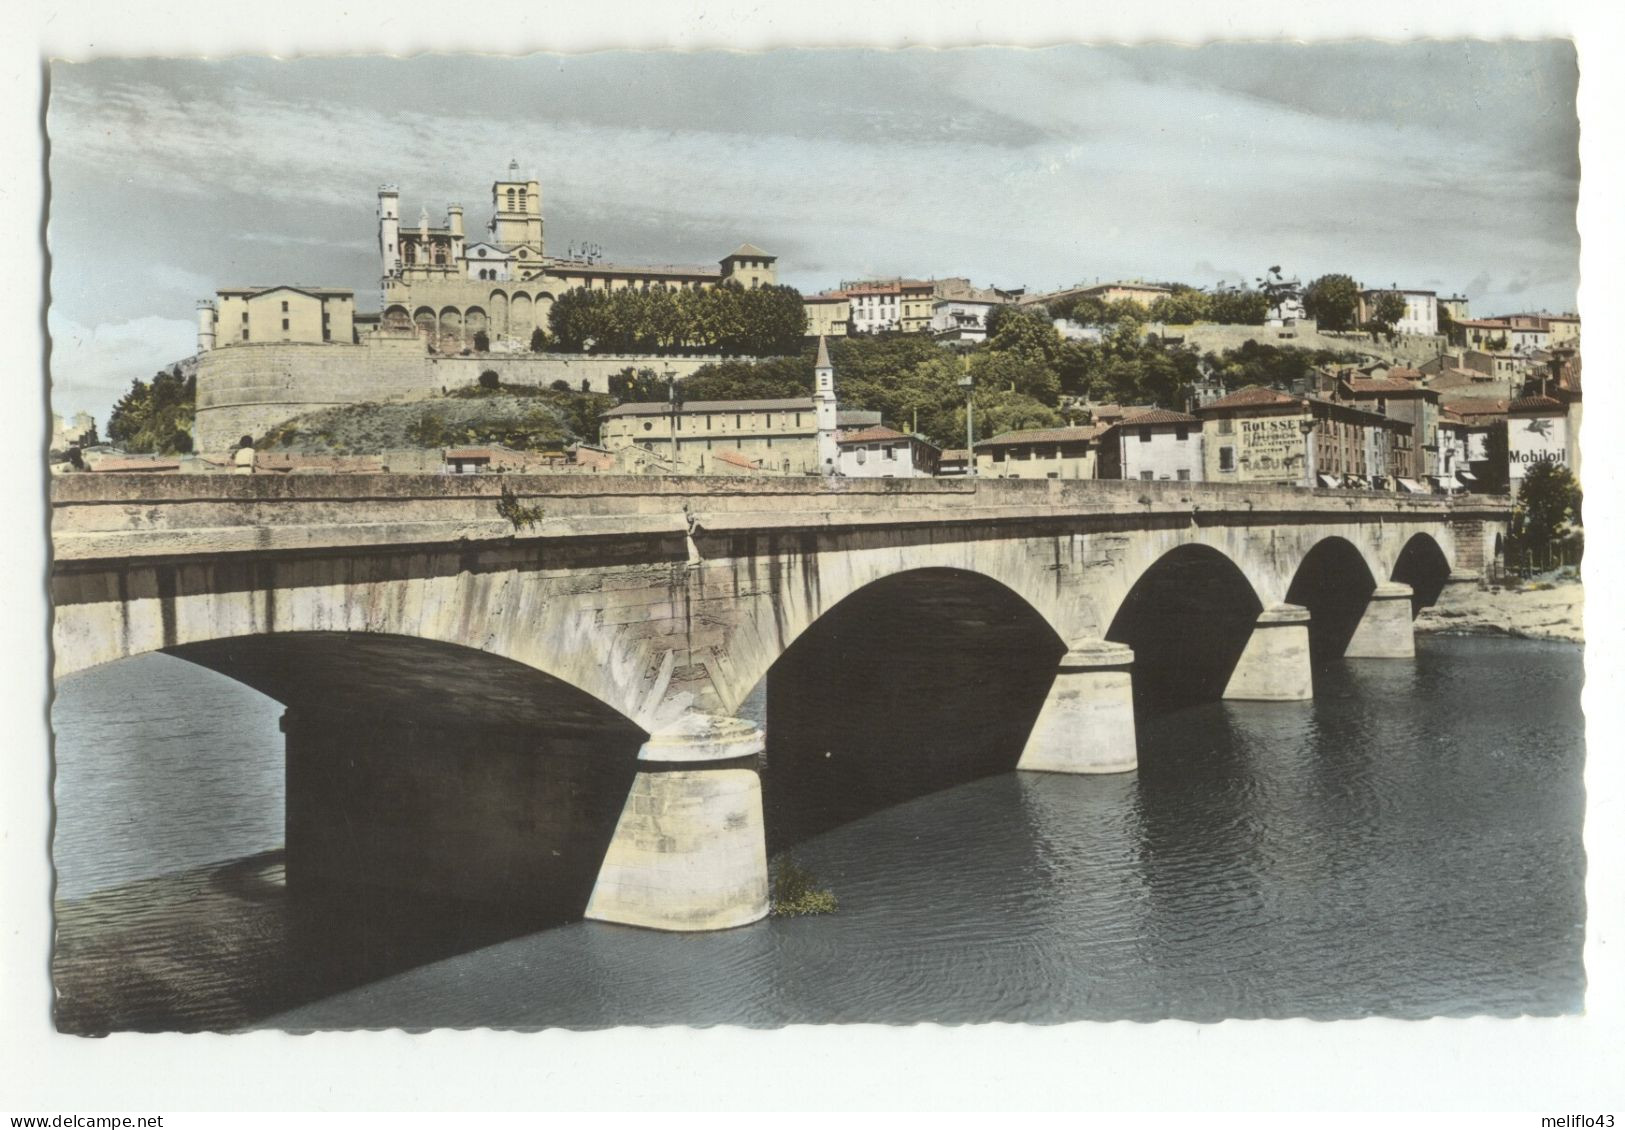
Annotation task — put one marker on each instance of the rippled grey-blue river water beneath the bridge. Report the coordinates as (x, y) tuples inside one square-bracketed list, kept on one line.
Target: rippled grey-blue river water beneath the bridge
[(1408, 846)]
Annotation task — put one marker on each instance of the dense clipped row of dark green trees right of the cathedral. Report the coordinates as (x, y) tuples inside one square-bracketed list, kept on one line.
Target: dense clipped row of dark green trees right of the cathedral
[(727, 319)]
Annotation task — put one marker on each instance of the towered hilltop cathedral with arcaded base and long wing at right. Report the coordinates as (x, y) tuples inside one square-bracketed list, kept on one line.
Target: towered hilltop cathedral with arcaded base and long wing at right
[(446, 287)]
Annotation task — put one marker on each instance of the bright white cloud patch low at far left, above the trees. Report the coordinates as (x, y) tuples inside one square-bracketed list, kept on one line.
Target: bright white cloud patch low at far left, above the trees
[(93, 367)]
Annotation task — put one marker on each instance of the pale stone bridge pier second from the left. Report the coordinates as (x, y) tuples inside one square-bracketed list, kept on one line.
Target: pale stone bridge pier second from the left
[(1088, 719)]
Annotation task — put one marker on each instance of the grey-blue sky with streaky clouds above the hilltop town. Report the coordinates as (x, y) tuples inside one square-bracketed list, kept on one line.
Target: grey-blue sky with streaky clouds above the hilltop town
[(1447, 167)]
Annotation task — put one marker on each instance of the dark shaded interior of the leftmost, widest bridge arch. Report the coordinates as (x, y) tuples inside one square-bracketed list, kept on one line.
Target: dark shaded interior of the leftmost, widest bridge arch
[(433, 775)]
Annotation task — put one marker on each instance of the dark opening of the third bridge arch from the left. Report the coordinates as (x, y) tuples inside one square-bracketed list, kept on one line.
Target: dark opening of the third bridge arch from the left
[(1189, 619)]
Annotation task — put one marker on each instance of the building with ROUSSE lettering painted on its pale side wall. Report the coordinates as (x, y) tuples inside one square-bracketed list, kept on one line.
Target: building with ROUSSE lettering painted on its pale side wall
[(1262, 435)]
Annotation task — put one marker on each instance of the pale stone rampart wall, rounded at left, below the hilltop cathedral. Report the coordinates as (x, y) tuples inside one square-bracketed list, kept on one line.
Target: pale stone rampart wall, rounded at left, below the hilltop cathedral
[(249, 389)]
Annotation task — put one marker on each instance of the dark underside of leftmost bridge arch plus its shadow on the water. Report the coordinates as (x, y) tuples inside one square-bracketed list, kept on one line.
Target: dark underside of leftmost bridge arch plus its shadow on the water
[(438, 801)]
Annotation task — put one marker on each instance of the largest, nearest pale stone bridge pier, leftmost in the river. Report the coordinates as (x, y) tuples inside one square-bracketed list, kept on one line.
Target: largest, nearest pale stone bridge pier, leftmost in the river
[(690, 850)]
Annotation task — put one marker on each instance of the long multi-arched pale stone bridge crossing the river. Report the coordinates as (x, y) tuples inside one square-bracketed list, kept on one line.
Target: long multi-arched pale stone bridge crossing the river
[(459, 654)]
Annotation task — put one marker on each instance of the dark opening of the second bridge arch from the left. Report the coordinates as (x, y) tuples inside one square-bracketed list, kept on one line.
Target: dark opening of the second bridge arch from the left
[(914, 684)]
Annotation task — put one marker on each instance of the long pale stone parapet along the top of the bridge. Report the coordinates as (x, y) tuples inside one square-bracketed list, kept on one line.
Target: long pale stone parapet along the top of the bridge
[(142, 516)]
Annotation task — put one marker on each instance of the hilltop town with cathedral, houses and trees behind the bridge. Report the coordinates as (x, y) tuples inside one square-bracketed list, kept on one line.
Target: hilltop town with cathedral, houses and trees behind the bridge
[(490, 354)]
